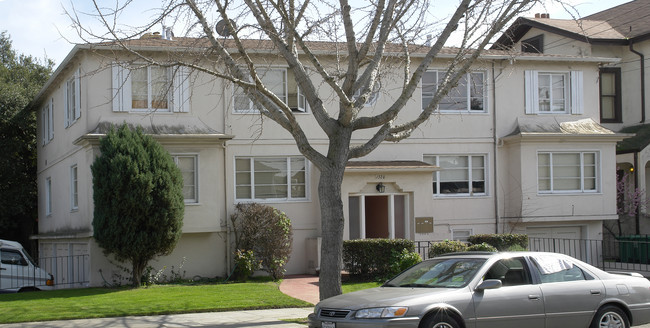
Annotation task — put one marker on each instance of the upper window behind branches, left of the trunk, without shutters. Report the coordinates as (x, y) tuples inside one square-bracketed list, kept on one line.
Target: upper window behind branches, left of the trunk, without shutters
[(279, 81)]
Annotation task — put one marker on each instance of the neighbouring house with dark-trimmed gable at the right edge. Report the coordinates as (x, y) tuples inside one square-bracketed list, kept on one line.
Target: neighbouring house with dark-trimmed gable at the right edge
[(621, 32)]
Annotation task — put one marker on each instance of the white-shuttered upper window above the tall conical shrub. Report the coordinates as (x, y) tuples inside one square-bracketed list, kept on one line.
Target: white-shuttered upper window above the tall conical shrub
[(178, 96)]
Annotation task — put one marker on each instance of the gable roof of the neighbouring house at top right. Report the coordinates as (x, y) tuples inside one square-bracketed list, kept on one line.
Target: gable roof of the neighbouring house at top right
[(623, 24)]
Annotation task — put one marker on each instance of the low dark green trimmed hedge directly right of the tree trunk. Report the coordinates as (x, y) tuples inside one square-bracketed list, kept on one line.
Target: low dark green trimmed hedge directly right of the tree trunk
[(366, 258)]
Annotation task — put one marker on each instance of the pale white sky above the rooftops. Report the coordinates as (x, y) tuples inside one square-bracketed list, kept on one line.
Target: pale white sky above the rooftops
[(40, 27)]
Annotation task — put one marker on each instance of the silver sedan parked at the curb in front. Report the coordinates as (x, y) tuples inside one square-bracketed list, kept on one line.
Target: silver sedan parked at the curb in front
[(485, 290)]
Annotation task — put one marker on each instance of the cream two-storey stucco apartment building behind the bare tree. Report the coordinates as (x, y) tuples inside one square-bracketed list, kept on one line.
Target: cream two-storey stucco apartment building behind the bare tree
[(498, 156)]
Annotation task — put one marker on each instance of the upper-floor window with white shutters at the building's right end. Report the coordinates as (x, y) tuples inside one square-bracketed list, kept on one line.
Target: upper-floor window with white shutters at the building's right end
[(554, 92)]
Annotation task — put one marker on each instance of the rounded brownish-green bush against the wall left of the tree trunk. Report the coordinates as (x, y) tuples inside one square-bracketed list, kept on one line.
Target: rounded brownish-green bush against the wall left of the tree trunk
[(267, 232)]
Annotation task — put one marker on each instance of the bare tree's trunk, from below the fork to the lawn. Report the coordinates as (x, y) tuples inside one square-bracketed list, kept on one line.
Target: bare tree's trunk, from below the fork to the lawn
[(332, 223)]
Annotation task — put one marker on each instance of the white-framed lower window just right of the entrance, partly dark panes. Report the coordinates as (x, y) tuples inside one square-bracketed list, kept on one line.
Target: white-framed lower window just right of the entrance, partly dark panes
[(434, 159)]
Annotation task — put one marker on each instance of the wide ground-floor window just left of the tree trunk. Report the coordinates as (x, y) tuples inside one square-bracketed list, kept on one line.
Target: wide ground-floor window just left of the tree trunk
[(270, 178)]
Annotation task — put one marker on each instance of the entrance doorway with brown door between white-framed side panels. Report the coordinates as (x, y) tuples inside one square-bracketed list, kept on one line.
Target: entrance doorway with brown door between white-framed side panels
[(378, 216)]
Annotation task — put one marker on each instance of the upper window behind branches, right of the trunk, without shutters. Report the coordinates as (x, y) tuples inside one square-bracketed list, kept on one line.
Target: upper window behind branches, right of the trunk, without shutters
[(469, 95)]
